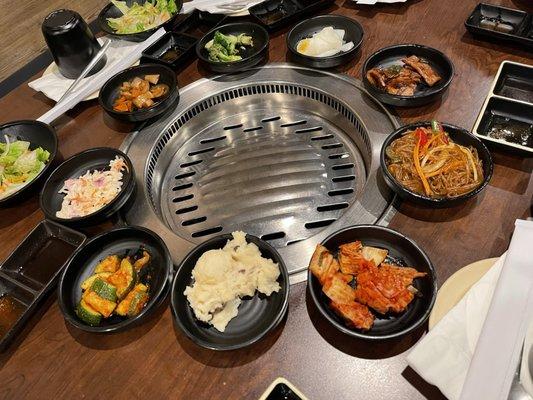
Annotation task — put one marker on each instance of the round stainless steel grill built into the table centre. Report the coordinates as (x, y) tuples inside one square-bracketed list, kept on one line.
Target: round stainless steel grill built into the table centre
[(284, 153)]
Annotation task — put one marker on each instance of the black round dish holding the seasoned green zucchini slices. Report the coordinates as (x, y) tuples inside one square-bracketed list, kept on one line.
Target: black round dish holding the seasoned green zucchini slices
[(157, 274)]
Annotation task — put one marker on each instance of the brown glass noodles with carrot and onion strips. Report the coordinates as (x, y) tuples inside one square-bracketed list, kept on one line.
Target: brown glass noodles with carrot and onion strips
[(426, 161)]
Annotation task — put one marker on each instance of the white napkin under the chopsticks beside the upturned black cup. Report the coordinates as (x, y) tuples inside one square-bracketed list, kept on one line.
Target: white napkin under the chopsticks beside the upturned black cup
[(53, 84)]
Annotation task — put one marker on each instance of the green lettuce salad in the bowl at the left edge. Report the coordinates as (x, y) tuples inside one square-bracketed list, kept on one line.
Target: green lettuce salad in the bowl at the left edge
[(19, 165)]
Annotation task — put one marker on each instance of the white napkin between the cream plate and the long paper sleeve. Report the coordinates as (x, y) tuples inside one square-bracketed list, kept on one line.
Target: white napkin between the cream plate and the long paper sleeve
[(443, 356)]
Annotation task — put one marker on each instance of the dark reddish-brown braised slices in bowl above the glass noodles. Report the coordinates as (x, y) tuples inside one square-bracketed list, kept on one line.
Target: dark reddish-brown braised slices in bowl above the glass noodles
[(402, 80)]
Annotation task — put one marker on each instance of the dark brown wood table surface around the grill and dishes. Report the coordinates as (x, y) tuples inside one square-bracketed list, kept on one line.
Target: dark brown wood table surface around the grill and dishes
[(53, 360)]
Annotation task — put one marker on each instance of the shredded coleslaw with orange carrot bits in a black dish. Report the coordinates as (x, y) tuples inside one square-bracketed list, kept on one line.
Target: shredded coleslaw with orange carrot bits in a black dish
[(92, 191)]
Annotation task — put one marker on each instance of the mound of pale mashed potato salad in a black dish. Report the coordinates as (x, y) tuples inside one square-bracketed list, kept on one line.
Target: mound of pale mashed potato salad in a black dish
[(223, 276)]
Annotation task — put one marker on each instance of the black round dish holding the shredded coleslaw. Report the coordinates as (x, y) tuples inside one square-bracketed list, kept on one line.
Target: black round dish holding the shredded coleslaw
[(98, 158)]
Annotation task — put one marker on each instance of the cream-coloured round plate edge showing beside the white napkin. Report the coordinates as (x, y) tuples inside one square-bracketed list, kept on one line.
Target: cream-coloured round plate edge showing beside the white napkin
[(456, 286)]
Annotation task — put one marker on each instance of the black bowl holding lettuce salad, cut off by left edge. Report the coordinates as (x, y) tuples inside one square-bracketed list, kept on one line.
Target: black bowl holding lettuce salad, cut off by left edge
[(38, 134)]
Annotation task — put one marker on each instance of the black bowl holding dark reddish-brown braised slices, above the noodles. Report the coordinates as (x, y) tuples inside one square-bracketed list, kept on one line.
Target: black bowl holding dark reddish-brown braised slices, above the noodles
[(424, 94)]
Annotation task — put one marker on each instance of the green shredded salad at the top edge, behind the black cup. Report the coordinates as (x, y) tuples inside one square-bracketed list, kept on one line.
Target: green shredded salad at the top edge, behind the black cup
[(139, 18)]
